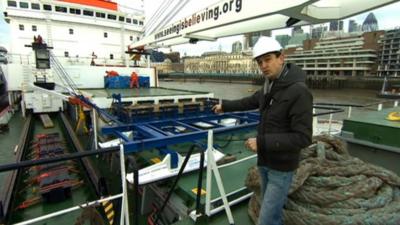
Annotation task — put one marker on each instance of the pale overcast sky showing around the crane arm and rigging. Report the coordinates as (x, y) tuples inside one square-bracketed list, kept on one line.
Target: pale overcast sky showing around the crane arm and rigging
[(388, 17)]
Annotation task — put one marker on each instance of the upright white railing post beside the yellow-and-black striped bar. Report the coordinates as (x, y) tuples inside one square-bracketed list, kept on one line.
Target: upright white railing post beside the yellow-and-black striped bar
[(124, 208)]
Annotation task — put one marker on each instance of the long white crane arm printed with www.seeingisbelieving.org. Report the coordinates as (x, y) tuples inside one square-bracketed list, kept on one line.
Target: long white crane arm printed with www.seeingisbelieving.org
[(234, 17)]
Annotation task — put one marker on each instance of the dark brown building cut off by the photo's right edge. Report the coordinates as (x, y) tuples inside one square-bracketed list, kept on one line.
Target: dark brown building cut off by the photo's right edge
[(389, 56)]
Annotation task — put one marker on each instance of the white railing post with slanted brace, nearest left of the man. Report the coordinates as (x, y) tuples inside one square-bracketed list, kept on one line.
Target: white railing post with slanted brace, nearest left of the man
[(211, 163)]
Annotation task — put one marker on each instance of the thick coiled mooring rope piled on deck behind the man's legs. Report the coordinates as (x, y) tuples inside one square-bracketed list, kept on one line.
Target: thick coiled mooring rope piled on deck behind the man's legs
[(332, 188)]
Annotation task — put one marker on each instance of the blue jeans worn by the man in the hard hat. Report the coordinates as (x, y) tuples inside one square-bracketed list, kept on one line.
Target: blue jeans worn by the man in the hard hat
[(275, 186)]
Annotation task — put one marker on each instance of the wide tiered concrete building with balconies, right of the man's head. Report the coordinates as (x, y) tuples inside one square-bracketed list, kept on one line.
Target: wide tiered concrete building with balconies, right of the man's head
[(354, 55)]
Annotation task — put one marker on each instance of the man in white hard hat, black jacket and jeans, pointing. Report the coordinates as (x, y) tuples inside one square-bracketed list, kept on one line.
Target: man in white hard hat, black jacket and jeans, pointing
[(285, 106)]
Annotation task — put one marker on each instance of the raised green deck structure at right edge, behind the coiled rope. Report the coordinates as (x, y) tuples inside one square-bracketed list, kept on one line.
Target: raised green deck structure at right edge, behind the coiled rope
[(373, 138)]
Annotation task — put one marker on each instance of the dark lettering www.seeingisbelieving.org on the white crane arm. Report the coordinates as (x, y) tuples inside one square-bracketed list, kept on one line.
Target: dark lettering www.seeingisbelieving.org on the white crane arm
[(207, 14)]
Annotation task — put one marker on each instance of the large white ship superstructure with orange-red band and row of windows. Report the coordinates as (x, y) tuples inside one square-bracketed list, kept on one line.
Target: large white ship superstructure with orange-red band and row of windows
[(86, 39)]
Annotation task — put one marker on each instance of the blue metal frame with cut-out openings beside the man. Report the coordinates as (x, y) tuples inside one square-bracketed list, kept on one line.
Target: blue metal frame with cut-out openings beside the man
[(161, 133)]
